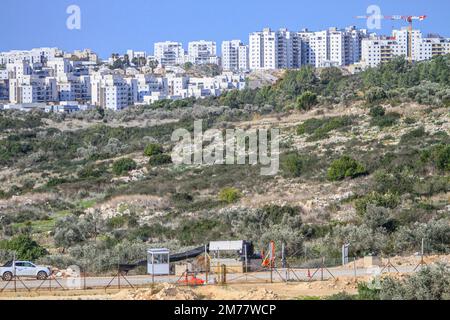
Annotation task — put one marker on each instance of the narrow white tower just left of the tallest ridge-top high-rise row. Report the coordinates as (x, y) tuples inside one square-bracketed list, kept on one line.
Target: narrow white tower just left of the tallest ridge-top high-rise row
[(235, 56)]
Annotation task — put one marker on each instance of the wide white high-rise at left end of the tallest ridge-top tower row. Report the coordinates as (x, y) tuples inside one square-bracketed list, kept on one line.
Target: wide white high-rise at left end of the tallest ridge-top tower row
[(274, 50)]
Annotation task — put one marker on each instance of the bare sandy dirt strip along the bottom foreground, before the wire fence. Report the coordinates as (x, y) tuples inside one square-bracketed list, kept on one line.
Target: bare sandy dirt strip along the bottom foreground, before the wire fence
[(277, 291)]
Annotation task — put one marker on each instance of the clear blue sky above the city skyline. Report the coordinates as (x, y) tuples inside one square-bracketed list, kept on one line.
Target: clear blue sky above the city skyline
[(113, 26)]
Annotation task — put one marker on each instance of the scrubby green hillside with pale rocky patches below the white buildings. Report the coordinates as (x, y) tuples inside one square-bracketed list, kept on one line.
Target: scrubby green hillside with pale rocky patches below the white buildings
[(365, 159)]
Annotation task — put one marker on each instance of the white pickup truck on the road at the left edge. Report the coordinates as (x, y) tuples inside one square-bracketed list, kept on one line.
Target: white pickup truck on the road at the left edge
[(24, 269)]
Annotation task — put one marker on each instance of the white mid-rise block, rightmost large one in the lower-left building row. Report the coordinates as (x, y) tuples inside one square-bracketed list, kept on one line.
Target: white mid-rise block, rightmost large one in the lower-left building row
[(113, 91)]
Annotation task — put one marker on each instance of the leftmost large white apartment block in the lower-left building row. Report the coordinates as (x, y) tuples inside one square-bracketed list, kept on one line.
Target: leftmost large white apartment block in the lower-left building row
[(32, 89)]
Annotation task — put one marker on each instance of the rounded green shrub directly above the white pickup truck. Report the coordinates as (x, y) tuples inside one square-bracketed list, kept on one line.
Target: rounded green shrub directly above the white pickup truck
[(24, 247)]
